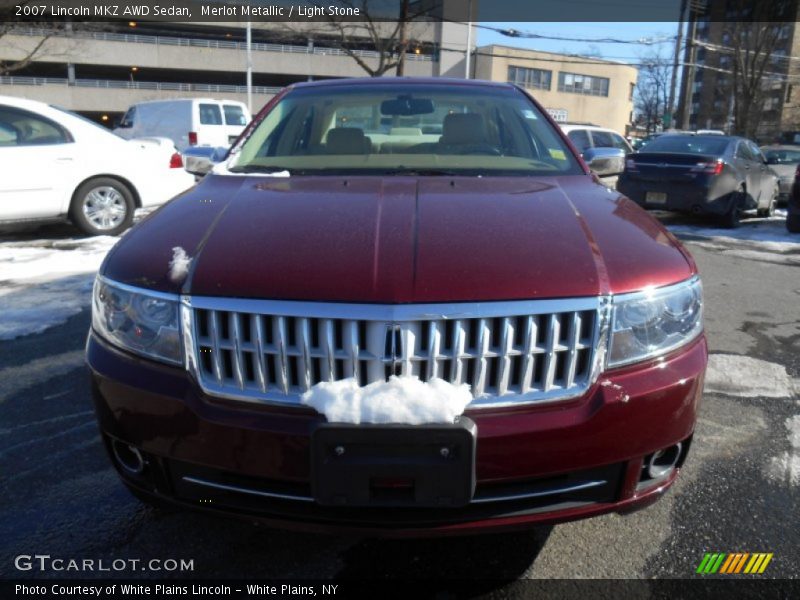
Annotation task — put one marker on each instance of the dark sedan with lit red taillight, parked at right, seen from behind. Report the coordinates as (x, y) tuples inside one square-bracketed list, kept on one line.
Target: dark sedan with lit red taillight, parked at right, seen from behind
[(702, 174)]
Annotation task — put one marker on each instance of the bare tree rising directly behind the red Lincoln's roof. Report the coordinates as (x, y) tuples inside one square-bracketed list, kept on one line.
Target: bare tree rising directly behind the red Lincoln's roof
[(390, 36)]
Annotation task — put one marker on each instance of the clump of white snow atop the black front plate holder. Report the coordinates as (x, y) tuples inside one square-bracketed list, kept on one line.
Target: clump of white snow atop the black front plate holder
[(404, 400)]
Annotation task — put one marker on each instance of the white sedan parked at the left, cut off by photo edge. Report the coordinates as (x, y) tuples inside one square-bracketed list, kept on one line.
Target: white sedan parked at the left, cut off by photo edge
[(59, 166)]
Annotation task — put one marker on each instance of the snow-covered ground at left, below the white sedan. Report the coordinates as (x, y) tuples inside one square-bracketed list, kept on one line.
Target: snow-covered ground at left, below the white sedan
[(45, 282)]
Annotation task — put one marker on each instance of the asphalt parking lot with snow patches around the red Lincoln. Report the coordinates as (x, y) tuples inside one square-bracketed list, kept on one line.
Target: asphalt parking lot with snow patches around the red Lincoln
[(738, 492)]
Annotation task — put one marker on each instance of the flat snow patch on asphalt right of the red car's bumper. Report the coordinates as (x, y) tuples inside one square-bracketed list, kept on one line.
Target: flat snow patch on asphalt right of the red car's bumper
[(747, 377)]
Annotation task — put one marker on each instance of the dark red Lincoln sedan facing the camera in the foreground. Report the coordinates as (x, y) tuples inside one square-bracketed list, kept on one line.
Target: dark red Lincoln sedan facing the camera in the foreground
[(340, 328)]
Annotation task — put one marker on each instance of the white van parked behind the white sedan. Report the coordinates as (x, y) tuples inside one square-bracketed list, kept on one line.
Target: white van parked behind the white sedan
[(187, 122)]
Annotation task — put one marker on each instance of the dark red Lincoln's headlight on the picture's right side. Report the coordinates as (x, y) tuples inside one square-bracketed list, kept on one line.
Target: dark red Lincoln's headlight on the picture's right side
[(647, 324)]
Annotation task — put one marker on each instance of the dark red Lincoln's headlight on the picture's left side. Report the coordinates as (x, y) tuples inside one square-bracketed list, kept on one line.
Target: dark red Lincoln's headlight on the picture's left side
[(141, 321)]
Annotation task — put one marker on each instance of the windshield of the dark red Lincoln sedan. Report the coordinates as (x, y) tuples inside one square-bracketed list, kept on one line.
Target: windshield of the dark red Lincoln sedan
[(396, 129)]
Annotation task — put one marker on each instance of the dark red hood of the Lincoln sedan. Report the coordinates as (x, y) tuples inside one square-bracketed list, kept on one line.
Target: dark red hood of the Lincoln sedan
[(400, 240)]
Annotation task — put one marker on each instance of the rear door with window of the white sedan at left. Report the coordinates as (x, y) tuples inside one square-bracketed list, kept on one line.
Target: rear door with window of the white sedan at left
[(36, 156)]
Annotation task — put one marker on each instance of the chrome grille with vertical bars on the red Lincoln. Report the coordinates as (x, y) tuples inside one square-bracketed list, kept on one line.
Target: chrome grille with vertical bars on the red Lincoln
[(508, 352)]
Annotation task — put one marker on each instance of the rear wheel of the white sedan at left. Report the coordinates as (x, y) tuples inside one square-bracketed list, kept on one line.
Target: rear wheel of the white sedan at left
[(102, 206)]
